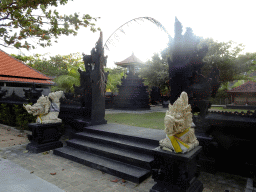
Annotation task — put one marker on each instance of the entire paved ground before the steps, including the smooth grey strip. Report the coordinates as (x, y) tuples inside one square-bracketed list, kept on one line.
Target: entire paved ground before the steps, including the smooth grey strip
[(59, 174)]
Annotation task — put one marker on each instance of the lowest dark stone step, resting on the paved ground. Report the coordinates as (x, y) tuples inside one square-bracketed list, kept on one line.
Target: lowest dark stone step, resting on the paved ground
[(110, 166)]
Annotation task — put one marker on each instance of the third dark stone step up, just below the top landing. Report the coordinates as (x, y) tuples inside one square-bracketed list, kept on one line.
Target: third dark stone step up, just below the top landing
[(121, 143)]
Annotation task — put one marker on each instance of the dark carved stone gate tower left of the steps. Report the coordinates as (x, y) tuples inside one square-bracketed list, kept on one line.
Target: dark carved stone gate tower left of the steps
[(87, 106)]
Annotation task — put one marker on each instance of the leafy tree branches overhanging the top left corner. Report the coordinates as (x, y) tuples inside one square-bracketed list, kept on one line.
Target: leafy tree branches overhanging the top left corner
[(24, 19)]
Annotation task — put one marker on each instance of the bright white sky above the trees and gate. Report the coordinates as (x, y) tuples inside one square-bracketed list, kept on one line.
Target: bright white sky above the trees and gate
[(221, 20)]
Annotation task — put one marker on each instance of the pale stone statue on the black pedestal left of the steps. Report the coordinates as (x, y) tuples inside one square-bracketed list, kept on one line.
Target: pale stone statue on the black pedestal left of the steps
[(46, 108)]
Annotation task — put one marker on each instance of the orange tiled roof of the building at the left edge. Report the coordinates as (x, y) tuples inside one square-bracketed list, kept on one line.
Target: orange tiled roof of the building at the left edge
[(14, 70)]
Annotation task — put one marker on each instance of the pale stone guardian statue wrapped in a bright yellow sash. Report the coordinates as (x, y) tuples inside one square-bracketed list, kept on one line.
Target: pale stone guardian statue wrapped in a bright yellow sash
[(180, 137)]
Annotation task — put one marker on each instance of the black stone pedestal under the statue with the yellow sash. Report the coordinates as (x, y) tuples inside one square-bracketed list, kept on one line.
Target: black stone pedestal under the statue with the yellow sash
[(176, 172)]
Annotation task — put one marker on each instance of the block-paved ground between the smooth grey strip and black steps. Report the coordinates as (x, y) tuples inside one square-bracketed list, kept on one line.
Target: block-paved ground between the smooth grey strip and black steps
[(71, 176)]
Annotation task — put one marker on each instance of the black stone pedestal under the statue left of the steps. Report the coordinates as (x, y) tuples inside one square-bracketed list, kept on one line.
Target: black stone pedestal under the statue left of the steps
[(44, 137)]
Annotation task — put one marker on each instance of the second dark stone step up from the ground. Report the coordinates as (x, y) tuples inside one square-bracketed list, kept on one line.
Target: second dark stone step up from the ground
[(113, 152)]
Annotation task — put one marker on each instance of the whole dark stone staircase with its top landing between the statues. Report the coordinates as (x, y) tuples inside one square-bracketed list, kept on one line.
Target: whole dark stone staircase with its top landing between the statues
[(119, 150)]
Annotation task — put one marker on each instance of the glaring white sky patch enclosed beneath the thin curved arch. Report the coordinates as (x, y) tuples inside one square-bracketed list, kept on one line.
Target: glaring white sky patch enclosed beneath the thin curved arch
[(143, 39)]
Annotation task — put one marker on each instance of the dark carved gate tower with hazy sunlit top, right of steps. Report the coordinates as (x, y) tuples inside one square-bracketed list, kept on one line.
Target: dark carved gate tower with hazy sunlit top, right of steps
[(185, 71)]
